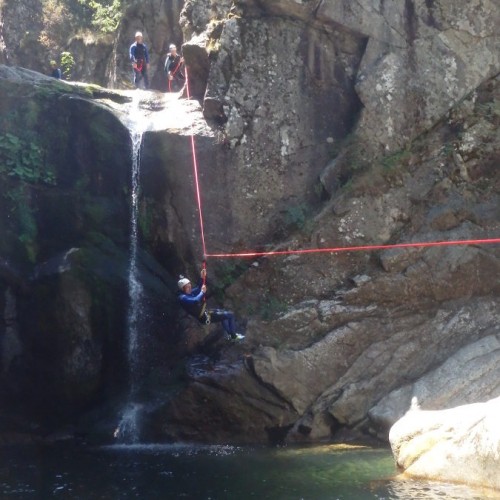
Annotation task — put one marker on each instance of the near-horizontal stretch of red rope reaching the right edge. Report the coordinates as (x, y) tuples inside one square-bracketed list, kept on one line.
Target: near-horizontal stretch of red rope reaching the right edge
[(355, 248)]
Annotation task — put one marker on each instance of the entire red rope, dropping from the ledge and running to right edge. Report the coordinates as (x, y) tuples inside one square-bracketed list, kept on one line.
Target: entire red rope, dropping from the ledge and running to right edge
[(364, 248)]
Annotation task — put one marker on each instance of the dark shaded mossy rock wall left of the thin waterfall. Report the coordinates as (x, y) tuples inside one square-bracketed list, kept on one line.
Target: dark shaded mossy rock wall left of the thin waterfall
[(65, 199)]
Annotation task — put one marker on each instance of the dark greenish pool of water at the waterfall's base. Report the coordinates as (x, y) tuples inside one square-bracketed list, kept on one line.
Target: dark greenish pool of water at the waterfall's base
[(210, 472)]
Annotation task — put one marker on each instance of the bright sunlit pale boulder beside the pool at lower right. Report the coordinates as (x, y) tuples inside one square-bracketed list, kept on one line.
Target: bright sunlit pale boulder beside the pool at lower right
[(459, 445)]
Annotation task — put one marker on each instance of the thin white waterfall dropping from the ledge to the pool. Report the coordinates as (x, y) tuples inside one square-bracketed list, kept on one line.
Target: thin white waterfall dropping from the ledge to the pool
[(128, 430)]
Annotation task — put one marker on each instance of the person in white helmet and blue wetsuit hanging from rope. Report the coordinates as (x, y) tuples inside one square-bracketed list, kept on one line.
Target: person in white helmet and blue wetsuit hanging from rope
[(193, 301)]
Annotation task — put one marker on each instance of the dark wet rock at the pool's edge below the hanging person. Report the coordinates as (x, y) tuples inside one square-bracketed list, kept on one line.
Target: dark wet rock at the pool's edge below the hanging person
[(233, 407)]
